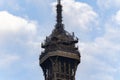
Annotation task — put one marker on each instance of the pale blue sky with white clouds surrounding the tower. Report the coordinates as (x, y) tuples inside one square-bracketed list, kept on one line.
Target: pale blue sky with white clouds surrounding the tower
[(25, 23)]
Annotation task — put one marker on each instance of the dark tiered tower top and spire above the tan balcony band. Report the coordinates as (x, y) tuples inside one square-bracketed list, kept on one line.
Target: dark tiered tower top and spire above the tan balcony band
[(60, 39)]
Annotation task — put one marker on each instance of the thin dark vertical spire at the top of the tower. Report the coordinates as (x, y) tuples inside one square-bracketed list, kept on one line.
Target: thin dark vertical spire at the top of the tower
[(59, 12)]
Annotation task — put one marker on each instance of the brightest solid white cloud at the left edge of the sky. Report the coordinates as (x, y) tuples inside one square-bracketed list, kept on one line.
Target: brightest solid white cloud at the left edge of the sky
[(11, 23)]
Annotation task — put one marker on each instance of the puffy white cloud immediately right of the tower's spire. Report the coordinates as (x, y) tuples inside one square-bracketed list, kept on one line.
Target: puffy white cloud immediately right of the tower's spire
[(78, 14)]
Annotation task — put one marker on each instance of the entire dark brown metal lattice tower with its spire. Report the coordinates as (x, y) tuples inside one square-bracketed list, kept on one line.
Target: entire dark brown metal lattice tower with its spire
[(60, 57)]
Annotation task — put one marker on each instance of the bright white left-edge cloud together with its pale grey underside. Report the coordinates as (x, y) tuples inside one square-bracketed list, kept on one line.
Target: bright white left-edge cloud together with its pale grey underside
[(14, 25)]
